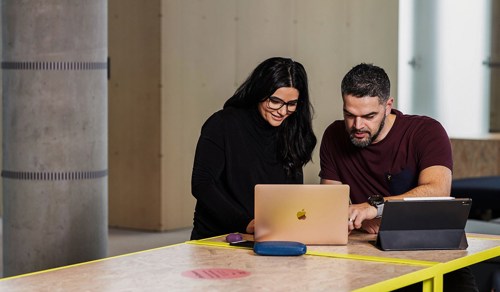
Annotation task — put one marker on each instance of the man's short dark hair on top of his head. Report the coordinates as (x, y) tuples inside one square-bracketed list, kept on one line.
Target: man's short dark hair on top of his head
[(366, 80)]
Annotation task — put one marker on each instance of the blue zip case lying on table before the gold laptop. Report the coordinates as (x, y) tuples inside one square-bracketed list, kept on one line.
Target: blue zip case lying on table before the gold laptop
[(279, 248)]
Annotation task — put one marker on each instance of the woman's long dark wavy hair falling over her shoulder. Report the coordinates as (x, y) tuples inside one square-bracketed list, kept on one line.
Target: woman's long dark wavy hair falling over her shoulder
[(296, 139)]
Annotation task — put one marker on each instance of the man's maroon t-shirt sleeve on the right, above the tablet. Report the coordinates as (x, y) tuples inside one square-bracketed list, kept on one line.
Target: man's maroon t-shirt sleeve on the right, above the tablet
[(433, 146)]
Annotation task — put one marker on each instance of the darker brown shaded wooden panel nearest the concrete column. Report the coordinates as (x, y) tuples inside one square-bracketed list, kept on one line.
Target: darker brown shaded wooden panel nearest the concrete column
[(134, 114)]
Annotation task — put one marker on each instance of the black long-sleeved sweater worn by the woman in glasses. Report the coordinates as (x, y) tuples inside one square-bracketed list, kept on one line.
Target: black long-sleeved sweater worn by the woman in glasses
[(236, 150)]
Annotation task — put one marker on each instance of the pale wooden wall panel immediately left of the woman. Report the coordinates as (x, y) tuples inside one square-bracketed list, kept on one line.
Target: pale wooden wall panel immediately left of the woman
[(198, 75)]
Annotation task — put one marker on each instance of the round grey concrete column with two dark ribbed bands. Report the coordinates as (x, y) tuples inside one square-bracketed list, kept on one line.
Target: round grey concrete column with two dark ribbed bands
[(54, 133)]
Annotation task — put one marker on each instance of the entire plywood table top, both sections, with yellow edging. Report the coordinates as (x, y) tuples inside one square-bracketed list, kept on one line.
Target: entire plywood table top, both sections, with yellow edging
[(211, 266)]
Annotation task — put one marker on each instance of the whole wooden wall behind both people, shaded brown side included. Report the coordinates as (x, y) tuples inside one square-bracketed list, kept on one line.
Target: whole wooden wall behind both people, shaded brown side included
[(175, 62)]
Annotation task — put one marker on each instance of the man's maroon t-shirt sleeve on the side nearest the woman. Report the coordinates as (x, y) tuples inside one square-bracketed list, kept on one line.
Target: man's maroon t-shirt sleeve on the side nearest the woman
[(326, 154)]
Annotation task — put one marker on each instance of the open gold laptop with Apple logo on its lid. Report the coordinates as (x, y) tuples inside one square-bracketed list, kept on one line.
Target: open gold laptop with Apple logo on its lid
[(311, 214)]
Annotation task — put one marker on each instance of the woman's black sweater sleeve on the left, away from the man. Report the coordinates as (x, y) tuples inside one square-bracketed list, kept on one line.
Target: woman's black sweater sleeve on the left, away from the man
[(206, 182)]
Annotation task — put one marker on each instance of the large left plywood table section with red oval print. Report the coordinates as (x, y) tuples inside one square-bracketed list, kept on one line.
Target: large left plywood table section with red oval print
[(187, 267)]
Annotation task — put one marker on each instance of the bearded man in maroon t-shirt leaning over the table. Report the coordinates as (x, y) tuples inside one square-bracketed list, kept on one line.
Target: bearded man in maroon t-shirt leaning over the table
[(383, 154)]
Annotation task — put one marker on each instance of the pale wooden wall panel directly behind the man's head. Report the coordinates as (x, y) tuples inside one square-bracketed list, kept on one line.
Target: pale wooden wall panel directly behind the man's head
[(331, 38)]
